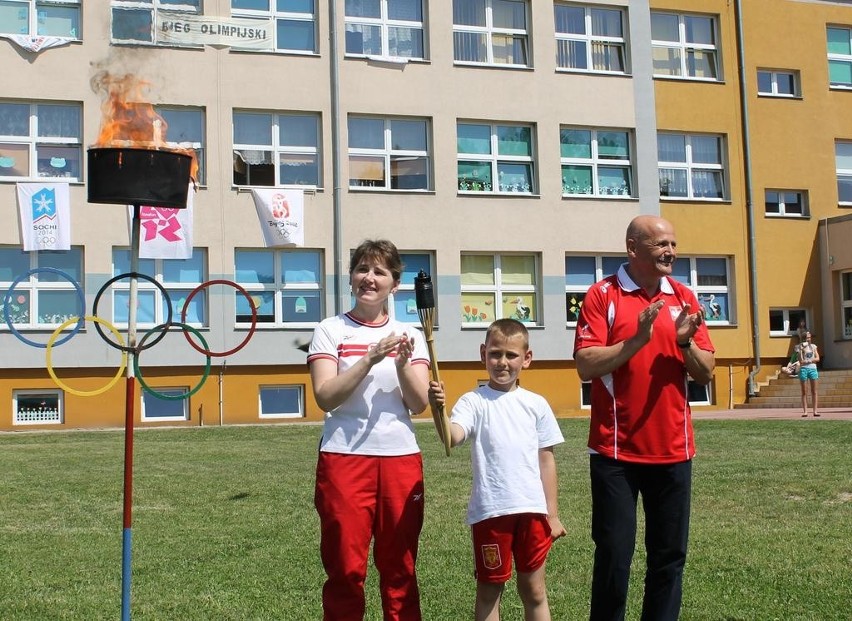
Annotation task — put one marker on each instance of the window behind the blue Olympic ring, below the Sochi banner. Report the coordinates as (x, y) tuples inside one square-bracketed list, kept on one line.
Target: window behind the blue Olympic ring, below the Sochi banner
[(44, 299)]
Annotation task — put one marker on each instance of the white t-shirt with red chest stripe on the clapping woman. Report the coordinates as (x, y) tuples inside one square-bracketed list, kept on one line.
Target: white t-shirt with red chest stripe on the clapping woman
[(374, 419)]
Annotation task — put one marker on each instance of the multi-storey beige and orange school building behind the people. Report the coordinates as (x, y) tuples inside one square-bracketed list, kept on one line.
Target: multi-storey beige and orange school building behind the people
[(502, 145)]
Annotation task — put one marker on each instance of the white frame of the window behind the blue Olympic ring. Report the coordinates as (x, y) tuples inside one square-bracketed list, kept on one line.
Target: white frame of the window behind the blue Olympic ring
[(36, 284)]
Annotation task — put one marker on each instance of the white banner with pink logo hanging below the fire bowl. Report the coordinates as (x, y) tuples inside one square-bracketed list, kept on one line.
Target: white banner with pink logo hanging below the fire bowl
[(165, 232)]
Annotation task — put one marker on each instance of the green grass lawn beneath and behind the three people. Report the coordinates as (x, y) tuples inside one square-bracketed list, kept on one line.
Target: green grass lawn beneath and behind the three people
[(224, 526)]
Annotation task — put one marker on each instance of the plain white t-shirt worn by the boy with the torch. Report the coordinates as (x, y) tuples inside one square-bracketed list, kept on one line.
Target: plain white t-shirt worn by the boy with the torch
[(506, 430)]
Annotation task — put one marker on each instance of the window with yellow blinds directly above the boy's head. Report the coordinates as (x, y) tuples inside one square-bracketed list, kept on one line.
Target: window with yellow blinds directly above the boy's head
[(498, 286)]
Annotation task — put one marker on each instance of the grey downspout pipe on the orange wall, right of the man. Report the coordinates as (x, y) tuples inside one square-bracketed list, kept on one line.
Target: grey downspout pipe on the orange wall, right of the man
[(752, 241)]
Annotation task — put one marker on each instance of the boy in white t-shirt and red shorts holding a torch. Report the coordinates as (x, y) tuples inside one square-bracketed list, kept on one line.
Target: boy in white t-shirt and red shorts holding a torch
[(513, 504)]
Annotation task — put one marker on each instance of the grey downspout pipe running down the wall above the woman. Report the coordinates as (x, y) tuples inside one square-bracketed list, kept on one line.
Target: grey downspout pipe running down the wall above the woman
[(340, 303)]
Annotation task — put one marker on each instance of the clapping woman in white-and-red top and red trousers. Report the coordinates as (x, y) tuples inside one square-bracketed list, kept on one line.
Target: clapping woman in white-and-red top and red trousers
[(369, 373)]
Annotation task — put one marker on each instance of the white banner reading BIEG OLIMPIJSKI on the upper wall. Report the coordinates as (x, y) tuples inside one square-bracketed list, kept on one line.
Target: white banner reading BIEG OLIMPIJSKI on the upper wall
[(188, 29)]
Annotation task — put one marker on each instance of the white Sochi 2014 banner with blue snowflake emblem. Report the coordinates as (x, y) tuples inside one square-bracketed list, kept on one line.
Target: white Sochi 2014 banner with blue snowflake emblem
[(45, 210)]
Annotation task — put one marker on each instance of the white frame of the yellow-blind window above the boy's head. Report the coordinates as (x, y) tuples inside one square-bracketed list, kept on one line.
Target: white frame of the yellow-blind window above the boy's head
[(500, 291)]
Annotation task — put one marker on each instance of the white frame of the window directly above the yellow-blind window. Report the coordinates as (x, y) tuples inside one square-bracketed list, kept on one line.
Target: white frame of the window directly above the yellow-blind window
[(494, 159)]
